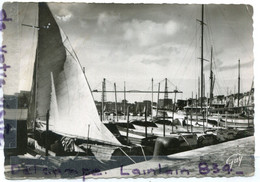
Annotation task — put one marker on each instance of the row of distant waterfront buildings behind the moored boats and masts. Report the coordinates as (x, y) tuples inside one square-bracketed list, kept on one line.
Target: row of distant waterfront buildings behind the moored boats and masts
[(219, 104)]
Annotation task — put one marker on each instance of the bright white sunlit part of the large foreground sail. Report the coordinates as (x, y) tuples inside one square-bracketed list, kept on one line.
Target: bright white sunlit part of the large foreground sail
[(76, 106)]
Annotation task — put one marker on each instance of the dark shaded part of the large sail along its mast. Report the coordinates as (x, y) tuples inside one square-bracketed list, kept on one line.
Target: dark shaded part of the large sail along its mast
[(50, 57)]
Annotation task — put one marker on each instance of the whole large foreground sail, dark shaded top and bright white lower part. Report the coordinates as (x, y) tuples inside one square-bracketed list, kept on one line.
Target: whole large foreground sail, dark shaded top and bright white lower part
[(62, 87)]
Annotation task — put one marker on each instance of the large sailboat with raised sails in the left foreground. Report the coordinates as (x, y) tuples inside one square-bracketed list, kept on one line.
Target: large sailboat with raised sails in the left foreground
[(62, 108)]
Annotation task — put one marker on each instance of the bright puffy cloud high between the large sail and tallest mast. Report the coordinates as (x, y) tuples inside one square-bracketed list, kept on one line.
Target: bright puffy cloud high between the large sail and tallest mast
[(148, 33)]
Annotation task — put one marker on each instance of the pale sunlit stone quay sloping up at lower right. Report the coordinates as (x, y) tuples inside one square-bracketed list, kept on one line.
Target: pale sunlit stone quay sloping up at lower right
[(202, 162)]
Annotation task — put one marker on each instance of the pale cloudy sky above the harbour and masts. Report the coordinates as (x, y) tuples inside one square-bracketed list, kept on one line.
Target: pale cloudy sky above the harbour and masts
[(137, 42)]
